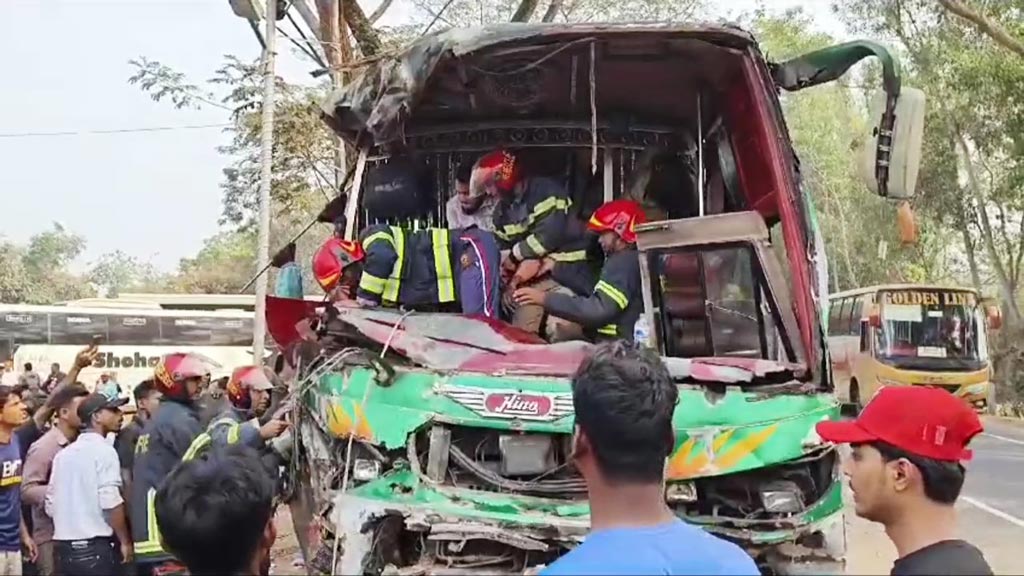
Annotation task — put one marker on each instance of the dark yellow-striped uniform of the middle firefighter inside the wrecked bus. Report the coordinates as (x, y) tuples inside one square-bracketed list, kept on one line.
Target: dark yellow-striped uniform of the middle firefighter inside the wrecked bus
[(536, 224)]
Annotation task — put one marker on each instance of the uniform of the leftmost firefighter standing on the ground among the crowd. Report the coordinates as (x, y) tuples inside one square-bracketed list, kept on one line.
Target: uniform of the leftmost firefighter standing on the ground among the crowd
[(164, 442)]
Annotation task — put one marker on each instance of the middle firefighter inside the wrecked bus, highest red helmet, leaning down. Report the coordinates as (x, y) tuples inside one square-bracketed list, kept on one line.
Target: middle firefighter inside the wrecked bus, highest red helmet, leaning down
[(533, 223)]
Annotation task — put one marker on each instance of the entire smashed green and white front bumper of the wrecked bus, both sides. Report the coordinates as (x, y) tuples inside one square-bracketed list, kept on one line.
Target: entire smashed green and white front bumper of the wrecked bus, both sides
[(397, 525)]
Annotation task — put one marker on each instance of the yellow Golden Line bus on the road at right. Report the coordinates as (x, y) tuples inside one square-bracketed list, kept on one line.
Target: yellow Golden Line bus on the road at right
[(911, 335)]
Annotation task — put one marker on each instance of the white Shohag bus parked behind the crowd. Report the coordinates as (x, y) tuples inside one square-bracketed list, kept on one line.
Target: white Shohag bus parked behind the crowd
[(135, 336)]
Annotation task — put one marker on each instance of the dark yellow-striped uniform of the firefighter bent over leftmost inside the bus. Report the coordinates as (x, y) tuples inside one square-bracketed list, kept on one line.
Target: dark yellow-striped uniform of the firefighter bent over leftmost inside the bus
[(431, 267)]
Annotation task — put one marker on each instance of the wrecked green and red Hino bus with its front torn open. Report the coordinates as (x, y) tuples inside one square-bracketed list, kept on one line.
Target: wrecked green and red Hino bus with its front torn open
[(437, 443)]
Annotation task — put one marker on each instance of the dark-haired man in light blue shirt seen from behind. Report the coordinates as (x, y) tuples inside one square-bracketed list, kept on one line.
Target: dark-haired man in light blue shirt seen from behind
[(624, 400)]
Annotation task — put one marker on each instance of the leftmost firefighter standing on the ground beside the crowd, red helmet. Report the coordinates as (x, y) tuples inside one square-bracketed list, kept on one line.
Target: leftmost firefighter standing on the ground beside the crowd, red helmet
[(165, 442)]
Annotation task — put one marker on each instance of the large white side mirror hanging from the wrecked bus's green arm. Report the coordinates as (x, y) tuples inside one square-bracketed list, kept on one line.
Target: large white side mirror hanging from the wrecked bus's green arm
[(890, 155)]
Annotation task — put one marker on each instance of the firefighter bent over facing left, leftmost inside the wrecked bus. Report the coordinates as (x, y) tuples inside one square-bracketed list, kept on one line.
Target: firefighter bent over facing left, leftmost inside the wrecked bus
[(391, 266)]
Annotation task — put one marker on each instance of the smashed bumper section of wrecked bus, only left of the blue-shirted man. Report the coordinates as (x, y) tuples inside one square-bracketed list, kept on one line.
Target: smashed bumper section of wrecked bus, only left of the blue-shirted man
[(451, 531)]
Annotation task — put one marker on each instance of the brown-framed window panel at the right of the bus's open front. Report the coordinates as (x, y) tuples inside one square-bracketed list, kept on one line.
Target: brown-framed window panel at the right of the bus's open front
[(713, 286)]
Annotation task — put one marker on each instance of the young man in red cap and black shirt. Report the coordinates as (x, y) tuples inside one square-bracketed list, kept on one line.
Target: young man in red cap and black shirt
[(906, 473)]
